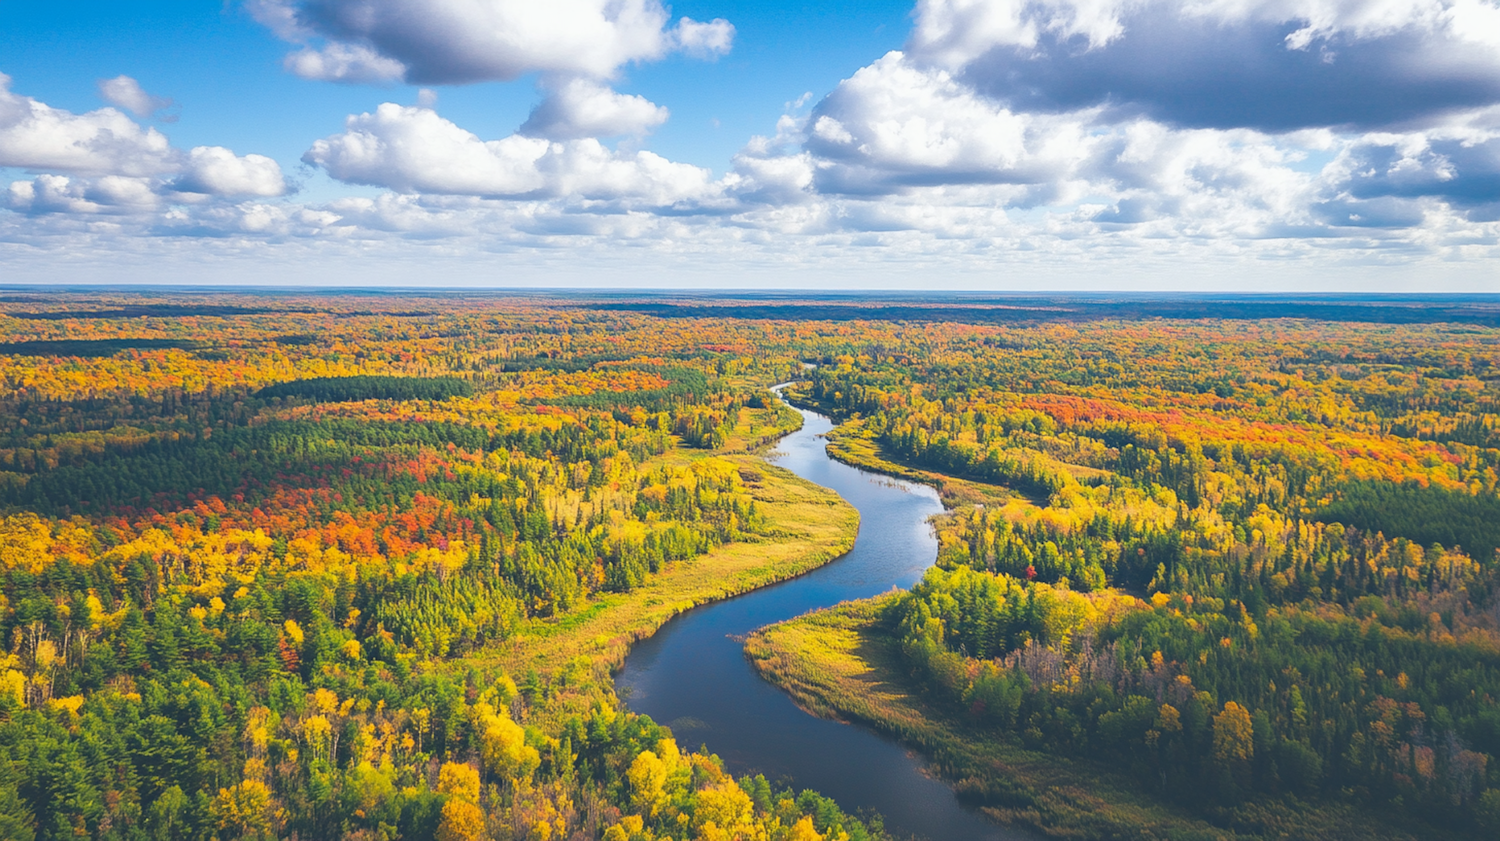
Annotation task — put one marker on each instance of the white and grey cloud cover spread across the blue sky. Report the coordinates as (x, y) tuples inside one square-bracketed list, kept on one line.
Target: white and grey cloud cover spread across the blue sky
[(1085, 133)]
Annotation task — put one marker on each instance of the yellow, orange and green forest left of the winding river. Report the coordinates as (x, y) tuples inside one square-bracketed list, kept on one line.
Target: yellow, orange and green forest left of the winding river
[(254, 587)]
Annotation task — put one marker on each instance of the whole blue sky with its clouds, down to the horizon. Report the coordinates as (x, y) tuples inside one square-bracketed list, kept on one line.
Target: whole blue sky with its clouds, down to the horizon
[(950, 145)]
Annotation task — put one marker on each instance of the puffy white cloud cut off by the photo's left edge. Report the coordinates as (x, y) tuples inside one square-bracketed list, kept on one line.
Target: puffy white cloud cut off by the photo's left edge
[(106, 142)]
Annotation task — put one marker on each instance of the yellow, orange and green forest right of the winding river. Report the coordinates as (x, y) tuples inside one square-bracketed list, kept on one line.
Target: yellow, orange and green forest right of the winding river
[(1247, 561)]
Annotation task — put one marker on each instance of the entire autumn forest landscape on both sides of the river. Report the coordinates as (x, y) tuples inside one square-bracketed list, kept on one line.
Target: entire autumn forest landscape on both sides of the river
[(337, 566)]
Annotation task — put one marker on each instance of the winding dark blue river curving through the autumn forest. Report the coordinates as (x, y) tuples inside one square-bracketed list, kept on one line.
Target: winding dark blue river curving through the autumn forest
[(694, 675)]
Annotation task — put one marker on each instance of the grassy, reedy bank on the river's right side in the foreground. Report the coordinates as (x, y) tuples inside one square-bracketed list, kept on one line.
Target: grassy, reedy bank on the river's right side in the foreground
[(841, 663)]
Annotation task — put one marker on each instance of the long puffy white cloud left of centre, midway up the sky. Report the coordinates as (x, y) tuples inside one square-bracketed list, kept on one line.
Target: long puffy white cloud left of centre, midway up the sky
[(415, 151)]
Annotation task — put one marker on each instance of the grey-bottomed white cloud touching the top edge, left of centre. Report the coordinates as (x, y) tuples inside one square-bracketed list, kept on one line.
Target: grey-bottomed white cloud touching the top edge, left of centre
[(470, 41)]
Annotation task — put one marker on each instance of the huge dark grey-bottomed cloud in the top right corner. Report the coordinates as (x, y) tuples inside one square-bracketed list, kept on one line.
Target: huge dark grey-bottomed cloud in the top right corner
[(1274, 65)]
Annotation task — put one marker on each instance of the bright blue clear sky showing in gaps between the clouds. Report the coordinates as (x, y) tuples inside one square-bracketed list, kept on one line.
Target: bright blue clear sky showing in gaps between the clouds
[(224, 70)]
